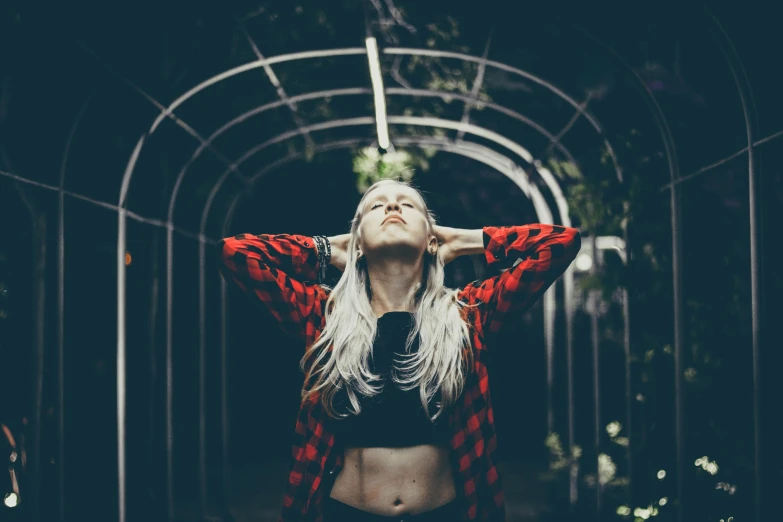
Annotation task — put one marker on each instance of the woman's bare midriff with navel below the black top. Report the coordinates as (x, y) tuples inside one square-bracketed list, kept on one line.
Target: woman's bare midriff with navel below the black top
[(393, 481)]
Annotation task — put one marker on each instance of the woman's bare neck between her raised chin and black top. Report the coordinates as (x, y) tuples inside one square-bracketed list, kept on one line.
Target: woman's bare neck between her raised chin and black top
[(394, 284)]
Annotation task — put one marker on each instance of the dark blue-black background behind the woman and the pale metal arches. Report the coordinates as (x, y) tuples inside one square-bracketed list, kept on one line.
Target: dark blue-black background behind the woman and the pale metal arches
[(82, 83)]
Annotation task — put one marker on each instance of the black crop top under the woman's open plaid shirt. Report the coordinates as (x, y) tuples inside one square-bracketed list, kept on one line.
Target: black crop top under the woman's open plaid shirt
[(393, 418)]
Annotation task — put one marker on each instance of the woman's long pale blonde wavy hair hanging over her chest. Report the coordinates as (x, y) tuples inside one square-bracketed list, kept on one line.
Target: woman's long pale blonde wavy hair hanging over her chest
[(339, 358)]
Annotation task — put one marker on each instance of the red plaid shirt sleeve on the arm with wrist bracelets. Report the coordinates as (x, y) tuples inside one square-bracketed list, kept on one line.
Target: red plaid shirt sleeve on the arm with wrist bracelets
[(275, 269)]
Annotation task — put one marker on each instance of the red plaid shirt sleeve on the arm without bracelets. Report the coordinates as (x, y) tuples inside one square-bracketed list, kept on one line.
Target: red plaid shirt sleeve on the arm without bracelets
[(543, 253)]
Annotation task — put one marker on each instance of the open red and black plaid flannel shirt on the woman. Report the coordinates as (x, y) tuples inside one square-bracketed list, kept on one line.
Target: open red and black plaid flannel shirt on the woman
[(280, 270)]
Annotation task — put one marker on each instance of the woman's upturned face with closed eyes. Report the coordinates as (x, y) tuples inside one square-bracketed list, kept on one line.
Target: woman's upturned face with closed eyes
[(394, 224)]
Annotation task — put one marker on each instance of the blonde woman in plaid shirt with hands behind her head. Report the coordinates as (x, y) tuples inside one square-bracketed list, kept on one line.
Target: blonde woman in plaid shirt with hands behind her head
[(396, 421)]
